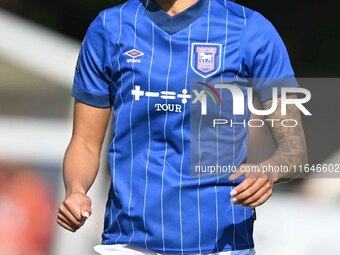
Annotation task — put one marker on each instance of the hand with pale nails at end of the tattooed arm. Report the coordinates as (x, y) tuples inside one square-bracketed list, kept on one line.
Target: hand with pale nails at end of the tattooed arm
[(255, 190)]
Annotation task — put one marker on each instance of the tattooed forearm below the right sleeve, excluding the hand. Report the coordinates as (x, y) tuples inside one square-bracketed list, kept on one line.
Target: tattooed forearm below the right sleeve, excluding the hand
[(290, 141)]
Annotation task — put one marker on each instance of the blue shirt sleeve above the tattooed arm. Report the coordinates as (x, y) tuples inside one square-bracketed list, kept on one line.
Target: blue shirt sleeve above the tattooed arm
[(266, 58)]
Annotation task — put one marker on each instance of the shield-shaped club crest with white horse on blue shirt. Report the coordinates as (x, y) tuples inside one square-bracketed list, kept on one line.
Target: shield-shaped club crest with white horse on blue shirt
[(206, 58)]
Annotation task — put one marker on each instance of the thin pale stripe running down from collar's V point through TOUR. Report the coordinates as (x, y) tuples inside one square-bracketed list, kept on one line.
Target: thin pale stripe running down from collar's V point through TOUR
[(166, 146)]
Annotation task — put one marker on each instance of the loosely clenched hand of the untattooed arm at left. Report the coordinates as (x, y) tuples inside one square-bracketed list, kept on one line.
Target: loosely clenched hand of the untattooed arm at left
[(74, 211)]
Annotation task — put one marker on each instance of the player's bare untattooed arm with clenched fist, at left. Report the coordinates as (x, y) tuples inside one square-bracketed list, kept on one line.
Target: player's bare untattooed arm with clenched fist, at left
[(81, 163)]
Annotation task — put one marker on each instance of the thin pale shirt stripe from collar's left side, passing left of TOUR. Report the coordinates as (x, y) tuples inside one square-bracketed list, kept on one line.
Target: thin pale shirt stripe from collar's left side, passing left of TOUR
[(149, 128)]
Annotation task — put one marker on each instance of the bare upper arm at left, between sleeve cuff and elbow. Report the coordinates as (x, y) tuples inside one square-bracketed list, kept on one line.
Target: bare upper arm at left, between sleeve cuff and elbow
[(90, 124)]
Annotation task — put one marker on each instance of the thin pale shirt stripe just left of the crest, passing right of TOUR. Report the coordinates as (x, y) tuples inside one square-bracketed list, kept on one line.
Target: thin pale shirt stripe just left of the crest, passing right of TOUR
[(183, 147)]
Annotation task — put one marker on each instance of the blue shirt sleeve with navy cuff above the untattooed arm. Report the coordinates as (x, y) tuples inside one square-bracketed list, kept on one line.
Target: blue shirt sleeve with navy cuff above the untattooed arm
[(92, 77)]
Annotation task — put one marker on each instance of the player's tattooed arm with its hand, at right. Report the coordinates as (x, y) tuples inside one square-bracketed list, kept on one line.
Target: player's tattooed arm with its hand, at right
[(291, 150)]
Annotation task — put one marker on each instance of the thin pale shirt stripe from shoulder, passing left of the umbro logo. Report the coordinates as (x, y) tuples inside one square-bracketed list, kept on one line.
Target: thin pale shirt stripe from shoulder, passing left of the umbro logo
[(117, 119)]
